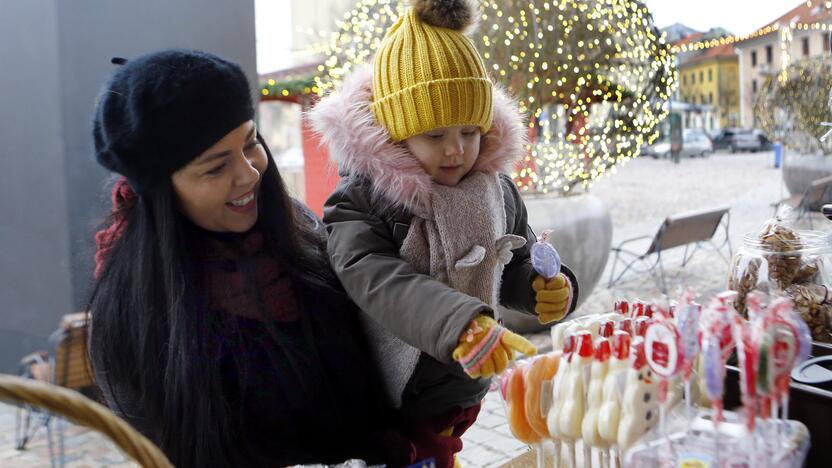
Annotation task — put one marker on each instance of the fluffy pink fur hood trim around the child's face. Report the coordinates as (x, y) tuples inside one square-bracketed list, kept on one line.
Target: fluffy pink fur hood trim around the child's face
[(359, 146)]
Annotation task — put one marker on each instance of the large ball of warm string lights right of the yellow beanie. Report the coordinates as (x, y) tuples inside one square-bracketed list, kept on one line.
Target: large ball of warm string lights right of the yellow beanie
[(594, 77)]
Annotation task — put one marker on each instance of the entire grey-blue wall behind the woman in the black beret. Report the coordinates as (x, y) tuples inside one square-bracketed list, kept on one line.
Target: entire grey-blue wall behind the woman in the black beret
[(54, 58)]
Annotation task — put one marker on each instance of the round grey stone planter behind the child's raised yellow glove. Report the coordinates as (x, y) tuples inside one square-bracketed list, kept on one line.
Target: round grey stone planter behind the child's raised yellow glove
[(582, 235)]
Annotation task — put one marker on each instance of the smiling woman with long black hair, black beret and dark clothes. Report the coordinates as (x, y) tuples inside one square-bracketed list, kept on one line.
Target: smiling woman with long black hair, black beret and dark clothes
[(218, 328)]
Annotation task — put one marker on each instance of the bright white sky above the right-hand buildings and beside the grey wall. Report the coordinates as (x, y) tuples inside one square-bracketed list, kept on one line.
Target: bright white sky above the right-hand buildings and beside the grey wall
[(274, 31)]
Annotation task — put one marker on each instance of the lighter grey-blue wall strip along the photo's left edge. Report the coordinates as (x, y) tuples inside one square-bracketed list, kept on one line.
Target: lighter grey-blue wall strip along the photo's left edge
[(34, 237)]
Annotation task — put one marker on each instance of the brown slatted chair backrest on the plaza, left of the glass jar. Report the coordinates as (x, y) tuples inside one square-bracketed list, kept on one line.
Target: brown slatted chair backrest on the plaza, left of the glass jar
[(686, 228)]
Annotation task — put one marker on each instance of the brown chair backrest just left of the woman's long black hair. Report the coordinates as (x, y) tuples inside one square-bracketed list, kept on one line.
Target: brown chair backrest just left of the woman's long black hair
[(71, 365)]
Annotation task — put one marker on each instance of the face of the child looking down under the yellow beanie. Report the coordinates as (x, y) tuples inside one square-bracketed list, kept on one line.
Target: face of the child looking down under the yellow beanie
[(448, 153)]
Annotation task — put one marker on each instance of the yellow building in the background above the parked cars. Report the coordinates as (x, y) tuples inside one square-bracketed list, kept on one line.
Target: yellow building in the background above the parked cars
[(711, 80)]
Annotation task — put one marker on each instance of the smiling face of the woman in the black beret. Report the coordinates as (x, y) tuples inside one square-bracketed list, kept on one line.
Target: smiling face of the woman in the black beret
[(218, 190)]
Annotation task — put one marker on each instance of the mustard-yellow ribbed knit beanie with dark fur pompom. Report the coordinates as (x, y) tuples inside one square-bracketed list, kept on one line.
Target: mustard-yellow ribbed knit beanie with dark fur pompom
[(427, 73)]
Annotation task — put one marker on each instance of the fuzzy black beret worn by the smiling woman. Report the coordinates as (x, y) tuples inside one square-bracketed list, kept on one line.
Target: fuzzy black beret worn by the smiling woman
[(159, 111)]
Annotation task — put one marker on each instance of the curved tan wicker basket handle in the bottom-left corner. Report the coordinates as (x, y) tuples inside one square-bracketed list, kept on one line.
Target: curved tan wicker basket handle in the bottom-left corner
[(83, 411)]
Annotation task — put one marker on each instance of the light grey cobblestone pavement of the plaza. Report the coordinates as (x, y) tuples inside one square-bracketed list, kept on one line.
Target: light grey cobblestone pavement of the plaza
[(640, 195)]
